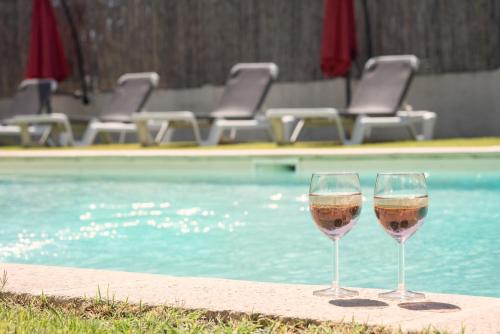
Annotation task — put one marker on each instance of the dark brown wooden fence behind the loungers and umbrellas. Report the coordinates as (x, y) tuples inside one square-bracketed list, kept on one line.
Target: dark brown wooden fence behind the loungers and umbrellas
[(194, 42)]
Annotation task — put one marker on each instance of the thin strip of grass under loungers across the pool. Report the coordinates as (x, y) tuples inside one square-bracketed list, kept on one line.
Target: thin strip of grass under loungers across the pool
[(455, 142)]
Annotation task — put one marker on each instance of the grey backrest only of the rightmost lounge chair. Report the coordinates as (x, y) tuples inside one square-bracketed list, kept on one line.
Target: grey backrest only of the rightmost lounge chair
[(383, 85)]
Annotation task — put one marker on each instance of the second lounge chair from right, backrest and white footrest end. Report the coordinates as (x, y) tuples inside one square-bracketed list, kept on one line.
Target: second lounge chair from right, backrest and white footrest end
[(245, 92)]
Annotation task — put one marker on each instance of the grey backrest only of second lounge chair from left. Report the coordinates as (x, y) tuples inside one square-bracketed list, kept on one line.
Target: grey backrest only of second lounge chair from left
[(130, 96)]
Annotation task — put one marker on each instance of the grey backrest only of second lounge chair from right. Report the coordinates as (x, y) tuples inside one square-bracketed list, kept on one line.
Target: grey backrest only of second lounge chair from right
[(246, 90)]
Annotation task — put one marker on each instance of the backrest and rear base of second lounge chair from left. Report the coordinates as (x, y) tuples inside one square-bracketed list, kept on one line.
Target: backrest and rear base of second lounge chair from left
[(129, 97)]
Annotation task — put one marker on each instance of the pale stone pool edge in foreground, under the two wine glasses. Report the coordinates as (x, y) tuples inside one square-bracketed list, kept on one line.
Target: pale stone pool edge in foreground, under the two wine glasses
[(441, 311)]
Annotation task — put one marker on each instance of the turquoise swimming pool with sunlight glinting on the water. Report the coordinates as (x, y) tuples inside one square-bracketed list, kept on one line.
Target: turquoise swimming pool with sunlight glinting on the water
[(247, 224)]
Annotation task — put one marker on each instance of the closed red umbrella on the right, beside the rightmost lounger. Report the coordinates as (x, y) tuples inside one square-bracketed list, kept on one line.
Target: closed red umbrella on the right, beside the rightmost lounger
[(339, 45)]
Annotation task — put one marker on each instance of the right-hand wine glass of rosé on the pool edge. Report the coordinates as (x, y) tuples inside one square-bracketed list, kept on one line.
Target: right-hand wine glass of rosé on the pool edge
[(400, 201)]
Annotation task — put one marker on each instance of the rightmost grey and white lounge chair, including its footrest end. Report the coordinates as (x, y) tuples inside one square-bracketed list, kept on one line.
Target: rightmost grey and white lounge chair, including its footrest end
[(376, 104)]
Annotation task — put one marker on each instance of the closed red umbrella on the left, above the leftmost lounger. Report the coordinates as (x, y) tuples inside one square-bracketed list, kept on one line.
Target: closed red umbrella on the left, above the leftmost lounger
[(46, 57)]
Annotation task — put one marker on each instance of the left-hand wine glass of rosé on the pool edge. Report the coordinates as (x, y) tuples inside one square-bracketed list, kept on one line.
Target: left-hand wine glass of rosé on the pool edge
[(335, 203)]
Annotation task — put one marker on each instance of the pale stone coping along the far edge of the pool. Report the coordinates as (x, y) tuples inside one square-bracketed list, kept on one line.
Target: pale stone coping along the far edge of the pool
[(48, 153)]
